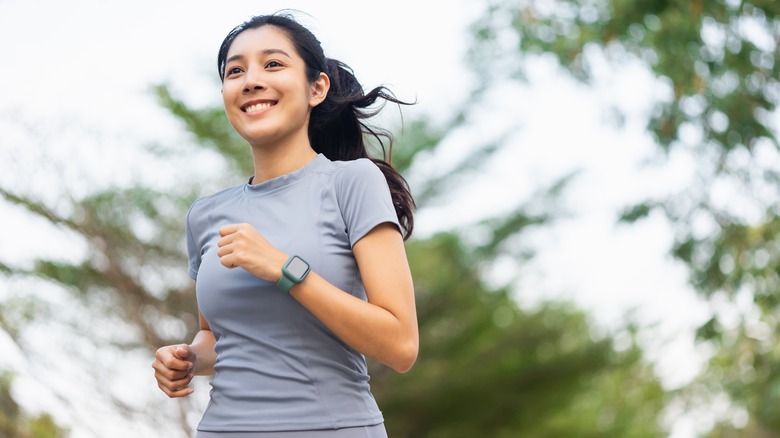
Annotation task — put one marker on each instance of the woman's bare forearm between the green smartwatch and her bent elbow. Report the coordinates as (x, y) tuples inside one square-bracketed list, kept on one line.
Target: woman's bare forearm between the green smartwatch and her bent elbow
[(368, 328)]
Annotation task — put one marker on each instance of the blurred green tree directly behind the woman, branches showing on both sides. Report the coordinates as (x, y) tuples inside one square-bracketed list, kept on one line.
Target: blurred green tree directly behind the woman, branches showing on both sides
[(486, 367)]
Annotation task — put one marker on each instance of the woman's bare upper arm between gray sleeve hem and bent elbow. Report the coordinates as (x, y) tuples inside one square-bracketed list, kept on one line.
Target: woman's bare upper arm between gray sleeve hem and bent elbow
[(384, 268)]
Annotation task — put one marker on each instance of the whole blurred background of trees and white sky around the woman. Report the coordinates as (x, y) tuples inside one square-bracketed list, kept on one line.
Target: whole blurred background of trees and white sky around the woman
[(597, 250)]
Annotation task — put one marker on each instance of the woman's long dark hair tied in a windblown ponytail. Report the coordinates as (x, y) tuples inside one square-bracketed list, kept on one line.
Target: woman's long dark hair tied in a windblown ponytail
[(336, 126)]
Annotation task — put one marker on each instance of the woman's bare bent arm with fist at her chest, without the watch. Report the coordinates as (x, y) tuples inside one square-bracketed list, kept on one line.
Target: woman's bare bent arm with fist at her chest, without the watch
[(384, 327)]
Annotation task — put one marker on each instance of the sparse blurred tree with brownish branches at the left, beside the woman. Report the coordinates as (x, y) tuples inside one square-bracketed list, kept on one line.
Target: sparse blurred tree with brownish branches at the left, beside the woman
[(123, 275)]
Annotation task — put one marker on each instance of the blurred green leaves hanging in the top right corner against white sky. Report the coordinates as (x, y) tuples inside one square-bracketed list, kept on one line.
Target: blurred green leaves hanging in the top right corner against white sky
[(701, 47)]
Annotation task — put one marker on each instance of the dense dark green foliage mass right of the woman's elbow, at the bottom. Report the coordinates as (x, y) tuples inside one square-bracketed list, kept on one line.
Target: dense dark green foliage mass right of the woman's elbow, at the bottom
[(488, 368)]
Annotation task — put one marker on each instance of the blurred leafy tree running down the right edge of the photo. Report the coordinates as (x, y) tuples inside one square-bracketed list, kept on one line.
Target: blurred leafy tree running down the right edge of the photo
[(719, 62)]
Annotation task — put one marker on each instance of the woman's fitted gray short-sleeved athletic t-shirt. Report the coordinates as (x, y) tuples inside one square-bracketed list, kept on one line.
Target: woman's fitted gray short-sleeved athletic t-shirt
[(278, 367)]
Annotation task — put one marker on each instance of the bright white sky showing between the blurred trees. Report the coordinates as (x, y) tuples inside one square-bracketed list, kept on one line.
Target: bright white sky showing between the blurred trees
[(90, 64)]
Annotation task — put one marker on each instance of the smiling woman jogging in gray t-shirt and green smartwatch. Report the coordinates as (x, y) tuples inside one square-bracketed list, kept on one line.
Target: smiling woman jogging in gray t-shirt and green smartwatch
[(301, 272)]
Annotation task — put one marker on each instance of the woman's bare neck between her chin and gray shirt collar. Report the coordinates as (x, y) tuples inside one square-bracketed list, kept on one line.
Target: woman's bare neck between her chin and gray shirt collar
[(274, 161)]
